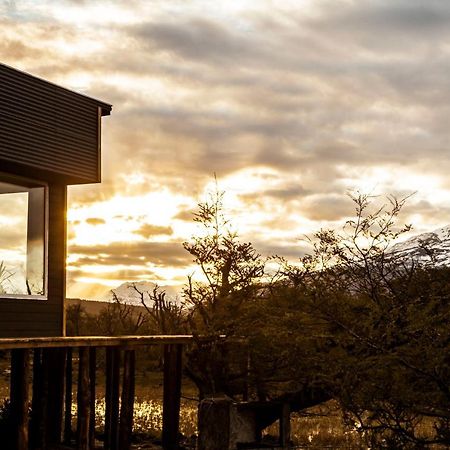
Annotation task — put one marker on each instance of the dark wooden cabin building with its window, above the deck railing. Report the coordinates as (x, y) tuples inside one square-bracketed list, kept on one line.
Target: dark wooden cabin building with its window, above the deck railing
[(49, 138)]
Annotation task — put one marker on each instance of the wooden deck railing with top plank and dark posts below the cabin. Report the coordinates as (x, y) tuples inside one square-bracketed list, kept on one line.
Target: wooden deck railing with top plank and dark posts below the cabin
[(42, 376)]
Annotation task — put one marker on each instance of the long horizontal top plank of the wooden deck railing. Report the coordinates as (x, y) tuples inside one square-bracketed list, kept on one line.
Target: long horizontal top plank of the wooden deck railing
[(95, 341)]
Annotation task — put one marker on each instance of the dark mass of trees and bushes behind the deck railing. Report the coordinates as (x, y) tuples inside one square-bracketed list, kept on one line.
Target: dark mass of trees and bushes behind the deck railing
[(352, 321)]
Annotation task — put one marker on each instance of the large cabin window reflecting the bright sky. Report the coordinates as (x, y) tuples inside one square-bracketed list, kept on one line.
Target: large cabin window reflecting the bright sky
[(22, 238)]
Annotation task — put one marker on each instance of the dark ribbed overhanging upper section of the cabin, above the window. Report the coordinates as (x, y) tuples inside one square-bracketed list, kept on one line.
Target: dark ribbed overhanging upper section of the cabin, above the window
[(48, 127)]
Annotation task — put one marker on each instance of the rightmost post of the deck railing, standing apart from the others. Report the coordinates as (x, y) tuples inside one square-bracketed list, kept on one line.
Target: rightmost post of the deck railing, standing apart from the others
[(172, 395)]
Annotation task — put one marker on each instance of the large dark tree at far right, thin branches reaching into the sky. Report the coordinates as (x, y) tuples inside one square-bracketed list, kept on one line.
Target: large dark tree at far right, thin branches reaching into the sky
[(387, 320)]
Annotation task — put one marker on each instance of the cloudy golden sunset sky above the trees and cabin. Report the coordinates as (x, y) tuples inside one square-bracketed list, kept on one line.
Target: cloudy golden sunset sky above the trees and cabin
[(292, 103)]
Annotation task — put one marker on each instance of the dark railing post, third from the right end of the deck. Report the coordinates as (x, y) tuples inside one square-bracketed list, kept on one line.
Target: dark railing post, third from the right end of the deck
[(112, 398)]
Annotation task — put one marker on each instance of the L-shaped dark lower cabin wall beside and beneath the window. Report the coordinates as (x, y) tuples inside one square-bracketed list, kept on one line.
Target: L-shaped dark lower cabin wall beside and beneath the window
[(34, 317)]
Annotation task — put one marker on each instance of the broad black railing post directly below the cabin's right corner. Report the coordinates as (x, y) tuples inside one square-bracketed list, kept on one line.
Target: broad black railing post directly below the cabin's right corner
[(55, 399)]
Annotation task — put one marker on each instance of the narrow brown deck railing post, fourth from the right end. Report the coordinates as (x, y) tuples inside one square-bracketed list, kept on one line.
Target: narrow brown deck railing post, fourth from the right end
[(83, 400)]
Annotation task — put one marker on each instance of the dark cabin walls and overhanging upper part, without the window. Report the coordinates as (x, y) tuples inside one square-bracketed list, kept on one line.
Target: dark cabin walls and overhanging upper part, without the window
[(50, 135)]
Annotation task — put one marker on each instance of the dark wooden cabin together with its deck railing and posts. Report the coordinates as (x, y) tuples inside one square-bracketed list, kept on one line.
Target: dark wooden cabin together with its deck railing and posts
[(49, 139)]
